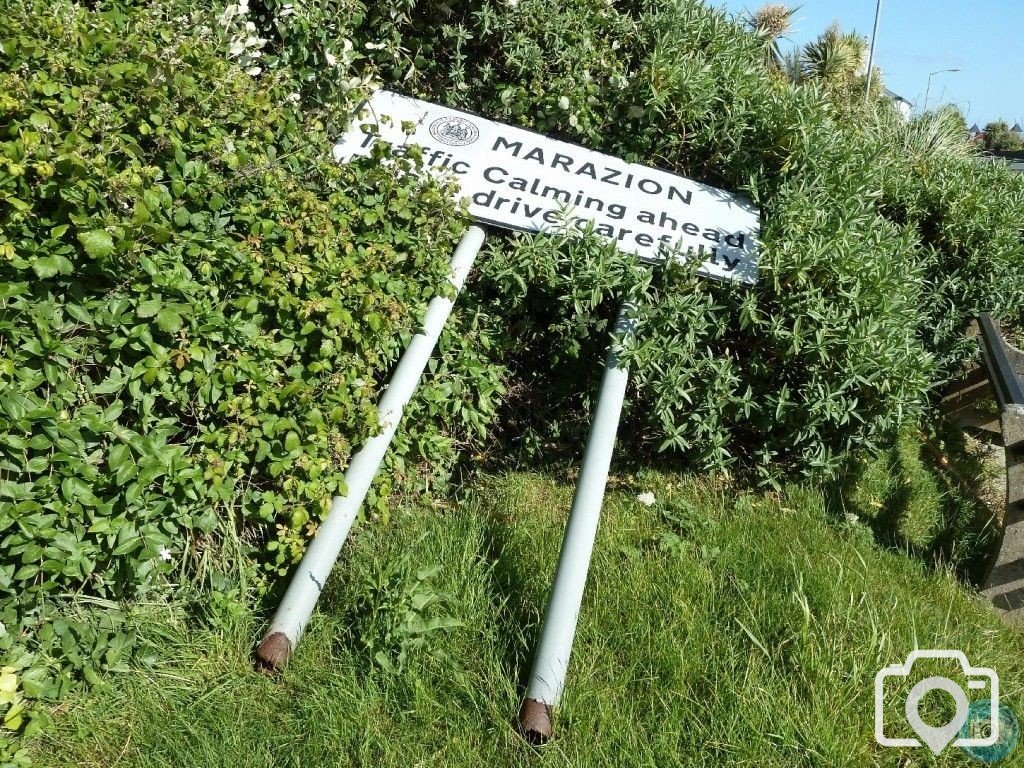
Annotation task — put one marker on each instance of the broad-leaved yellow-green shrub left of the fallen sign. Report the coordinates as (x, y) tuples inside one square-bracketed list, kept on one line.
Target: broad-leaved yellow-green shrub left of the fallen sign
[(198, 312)]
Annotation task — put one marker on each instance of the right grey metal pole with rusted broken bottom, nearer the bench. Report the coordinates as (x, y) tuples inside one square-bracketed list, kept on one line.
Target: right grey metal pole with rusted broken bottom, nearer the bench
[(551, 660)]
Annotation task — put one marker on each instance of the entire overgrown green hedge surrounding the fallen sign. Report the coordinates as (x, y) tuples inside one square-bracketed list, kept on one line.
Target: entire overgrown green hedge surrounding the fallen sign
[(199, 309)]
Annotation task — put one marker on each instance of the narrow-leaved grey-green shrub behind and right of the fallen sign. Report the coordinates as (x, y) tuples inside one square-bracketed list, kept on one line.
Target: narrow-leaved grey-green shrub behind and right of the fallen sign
[(880, 241)]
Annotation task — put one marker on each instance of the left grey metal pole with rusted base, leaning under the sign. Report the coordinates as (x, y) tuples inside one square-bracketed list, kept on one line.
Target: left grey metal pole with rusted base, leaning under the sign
[(308, 583)]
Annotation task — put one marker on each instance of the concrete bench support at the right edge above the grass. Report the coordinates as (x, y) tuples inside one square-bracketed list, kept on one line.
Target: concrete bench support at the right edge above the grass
[(1005, 583)]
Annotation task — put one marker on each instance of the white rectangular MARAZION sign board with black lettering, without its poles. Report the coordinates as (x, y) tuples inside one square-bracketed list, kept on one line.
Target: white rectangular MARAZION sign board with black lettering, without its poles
[(519, 180)]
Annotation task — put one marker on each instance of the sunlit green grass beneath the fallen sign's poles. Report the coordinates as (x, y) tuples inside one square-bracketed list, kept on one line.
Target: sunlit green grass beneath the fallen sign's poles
[(719, 628)]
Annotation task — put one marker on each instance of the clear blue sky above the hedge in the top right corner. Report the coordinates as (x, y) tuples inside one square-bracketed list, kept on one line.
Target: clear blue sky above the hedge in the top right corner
[(985, 39)]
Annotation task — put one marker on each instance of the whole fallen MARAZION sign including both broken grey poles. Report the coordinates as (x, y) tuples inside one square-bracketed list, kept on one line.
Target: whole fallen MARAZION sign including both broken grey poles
[(519, 180)]
